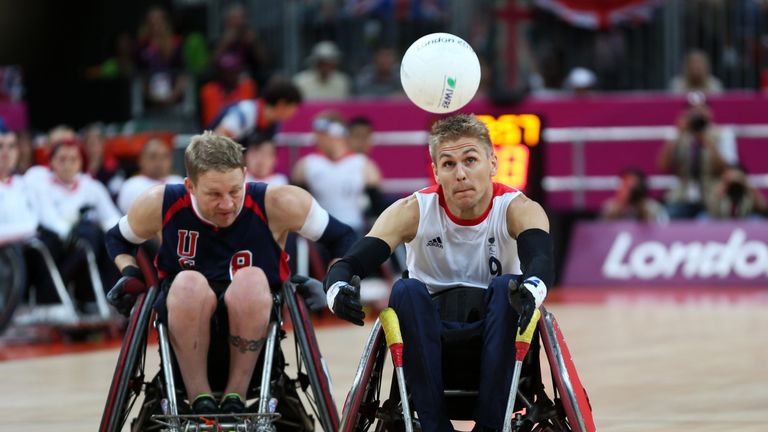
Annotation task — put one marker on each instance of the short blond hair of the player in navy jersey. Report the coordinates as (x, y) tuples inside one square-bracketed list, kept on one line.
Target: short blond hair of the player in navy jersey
[(211, 152)]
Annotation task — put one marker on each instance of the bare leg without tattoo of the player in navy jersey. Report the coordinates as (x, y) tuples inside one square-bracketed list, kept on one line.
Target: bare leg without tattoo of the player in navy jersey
[(191, 304)]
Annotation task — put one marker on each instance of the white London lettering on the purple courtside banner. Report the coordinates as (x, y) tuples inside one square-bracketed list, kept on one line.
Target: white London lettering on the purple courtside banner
[(747, 259)]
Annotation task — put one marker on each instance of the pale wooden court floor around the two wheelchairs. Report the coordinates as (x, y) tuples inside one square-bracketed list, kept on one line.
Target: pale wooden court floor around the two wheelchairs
[(647, 366)]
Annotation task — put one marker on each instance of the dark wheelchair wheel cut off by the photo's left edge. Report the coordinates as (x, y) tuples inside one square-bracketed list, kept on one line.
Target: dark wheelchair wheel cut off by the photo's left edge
[(12, 281)]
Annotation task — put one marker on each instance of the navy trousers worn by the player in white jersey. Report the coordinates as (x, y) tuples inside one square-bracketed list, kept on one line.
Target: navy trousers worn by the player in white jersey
[(422, 327)]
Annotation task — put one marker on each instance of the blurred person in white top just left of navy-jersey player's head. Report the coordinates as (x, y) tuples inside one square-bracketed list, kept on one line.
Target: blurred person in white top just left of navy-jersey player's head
[(154, 169)]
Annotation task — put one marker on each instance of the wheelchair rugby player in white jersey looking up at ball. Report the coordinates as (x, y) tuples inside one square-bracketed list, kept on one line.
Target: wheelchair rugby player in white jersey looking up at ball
[(466, 231)]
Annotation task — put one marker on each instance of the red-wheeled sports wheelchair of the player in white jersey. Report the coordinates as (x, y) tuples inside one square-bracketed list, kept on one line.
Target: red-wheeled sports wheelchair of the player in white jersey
[(563, 407)]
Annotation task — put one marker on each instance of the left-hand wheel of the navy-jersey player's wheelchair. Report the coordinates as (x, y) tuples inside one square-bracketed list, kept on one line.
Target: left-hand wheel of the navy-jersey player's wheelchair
[(128, 380)]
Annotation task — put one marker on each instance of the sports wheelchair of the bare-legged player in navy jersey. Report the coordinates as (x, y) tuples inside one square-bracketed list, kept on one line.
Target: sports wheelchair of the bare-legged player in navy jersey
[(274, 395)]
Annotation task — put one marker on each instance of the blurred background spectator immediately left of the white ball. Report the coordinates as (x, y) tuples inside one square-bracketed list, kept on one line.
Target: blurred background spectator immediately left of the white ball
[(380, 78)]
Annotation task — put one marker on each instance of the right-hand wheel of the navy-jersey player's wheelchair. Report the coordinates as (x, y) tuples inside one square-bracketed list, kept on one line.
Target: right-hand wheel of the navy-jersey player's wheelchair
[(316, 370)]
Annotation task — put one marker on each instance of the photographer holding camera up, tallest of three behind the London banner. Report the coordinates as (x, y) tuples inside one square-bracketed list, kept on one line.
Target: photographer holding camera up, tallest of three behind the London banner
[(696, 156)]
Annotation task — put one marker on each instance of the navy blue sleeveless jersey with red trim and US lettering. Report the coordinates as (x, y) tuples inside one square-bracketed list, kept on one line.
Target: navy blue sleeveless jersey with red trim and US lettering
[(191, 243)]
